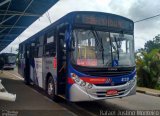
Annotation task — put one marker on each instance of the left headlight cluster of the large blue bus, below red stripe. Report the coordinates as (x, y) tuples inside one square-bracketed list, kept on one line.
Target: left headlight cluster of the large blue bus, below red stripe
[(80, 82)]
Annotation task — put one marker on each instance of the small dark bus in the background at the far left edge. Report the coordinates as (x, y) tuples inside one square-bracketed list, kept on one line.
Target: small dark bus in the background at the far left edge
[(9, 60)]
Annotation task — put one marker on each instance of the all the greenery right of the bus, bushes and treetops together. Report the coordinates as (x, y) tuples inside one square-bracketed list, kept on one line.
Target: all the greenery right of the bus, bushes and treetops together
[(148, 64)]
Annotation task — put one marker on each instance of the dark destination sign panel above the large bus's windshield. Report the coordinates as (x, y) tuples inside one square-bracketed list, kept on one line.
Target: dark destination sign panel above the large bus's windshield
[(108, 20)]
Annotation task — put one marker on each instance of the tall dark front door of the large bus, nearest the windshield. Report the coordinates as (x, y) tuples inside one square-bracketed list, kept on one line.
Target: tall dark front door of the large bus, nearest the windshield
[(61, 60)]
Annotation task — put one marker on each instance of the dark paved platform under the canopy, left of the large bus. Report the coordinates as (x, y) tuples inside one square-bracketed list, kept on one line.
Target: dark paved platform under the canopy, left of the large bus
[(29, 102)]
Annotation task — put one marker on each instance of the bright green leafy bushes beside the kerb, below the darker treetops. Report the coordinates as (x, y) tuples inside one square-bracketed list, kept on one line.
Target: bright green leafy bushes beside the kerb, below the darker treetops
[(148, 68)]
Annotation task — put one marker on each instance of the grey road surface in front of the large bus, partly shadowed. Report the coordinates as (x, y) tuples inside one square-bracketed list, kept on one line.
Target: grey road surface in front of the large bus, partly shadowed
[(136, 102)]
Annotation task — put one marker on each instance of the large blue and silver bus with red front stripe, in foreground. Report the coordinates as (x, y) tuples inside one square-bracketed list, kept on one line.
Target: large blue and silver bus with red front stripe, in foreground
[(83, 56)]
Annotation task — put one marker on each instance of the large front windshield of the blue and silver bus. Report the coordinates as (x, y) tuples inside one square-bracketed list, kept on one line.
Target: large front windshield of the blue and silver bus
[(102, 49)]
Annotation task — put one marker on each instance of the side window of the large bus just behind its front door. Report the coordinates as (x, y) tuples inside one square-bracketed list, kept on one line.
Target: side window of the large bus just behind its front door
[(50, 45)]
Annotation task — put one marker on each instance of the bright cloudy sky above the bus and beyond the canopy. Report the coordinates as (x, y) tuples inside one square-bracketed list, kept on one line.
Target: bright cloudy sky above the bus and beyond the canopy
[(132, 9)]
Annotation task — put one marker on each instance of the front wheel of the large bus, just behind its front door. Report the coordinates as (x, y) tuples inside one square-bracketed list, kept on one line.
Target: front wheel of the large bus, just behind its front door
[(51, 89)]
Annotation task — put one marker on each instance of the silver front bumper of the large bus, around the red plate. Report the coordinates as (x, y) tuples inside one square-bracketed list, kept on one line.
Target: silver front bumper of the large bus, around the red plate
[(78, 93)]
